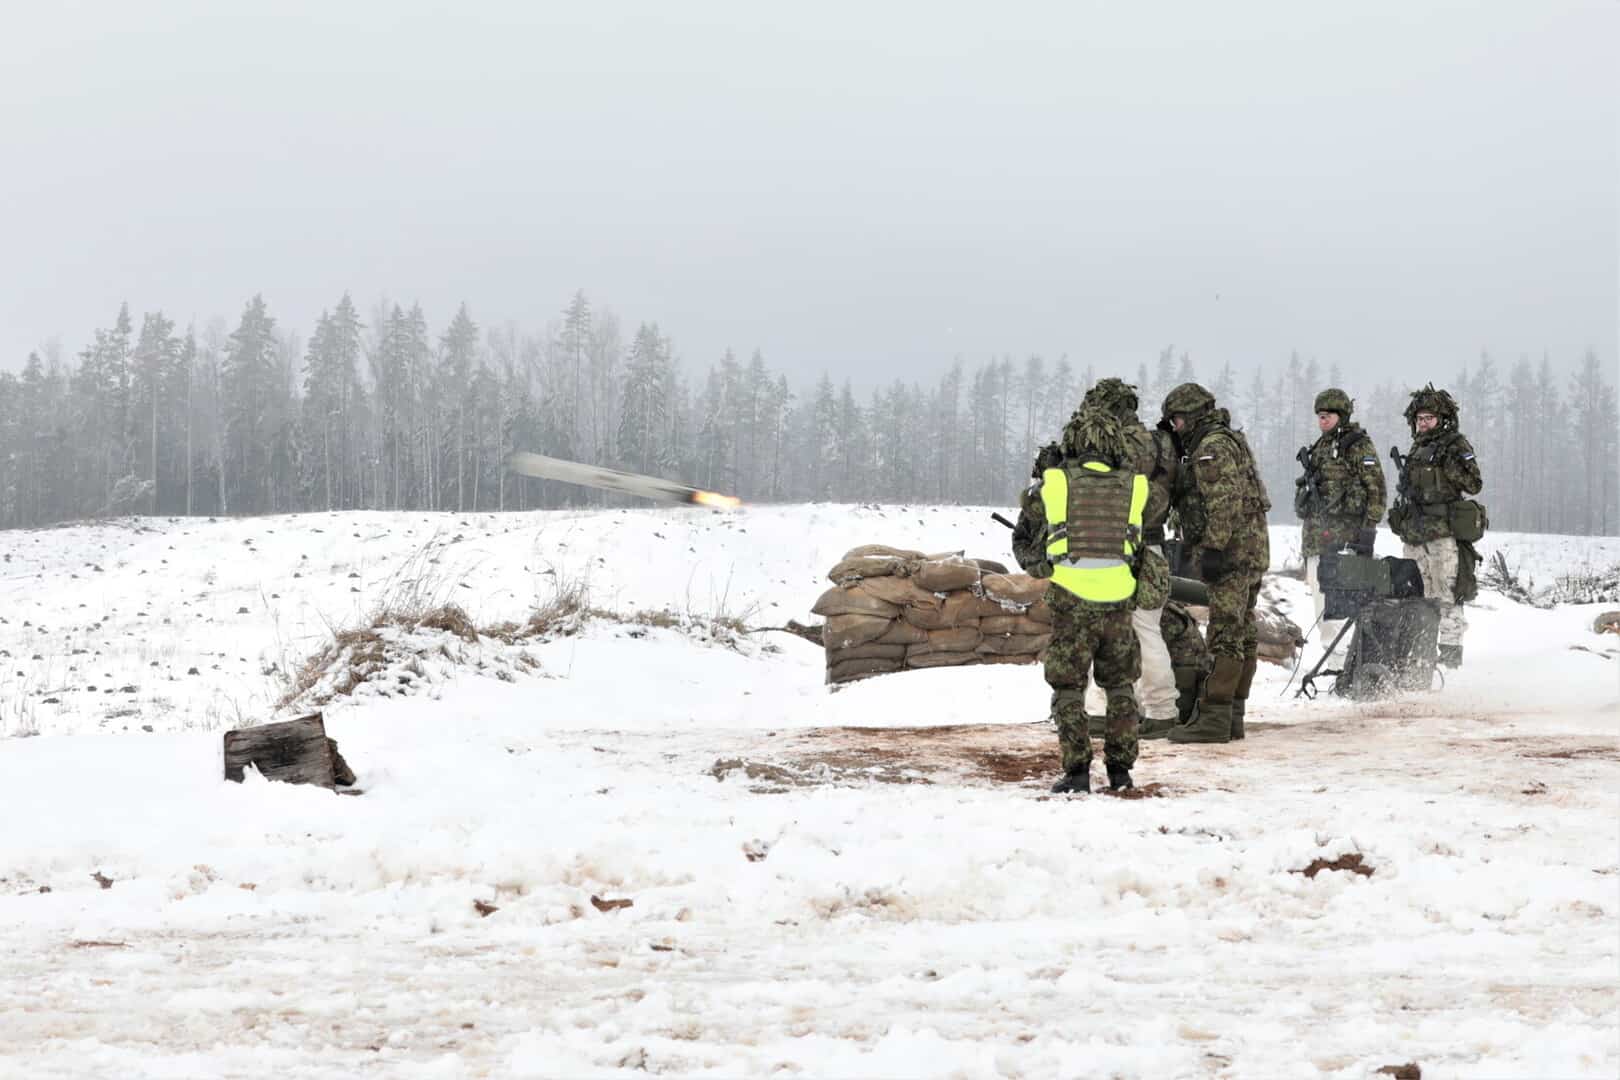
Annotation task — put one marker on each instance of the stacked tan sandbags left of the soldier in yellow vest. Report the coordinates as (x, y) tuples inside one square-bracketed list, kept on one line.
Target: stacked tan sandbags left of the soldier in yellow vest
[(893, 610)]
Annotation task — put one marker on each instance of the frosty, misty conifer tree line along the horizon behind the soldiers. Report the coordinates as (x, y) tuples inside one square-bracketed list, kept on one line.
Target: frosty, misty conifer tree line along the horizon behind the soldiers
[(382, 412)]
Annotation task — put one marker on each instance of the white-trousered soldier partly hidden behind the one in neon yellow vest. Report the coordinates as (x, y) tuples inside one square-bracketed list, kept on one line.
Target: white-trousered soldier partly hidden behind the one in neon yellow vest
[(1154, 456)]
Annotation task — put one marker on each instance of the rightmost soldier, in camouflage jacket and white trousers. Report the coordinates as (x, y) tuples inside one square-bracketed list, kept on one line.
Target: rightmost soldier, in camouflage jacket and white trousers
[(1436, 524)]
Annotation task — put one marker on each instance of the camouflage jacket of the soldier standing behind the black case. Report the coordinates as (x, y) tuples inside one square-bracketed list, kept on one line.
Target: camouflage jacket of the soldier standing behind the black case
[(1342, 490)]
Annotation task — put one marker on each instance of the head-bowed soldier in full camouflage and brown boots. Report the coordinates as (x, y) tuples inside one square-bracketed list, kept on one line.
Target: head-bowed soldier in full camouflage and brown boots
[(1221, 504)]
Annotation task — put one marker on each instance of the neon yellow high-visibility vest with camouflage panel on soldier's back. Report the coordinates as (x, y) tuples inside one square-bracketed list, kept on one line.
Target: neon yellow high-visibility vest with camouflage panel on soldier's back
[(1094, 529)]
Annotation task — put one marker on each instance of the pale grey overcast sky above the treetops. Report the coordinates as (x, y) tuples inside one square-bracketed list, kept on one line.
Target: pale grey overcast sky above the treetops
[(864, 189)]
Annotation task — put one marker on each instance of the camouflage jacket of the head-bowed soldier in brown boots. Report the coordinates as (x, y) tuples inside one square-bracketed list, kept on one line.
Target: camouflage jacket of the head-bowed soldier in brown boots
[(1221, 498)]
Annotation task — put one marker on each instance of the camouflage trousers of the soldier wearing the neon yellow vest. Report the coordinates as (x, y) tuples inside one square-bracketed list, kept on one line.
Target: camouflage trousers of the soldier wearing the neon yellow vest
[(1088, 639)]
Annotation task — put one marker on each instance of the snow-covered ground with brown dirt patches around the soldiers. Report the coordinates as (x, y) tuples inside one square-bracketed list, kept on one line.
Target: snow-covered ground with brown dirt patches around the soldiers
[(859, 883)]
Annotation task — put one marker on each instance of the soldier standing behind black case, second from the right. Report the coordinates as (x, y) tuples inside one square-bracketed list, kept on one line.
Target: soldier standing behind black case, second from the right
[(1339, 500)]
